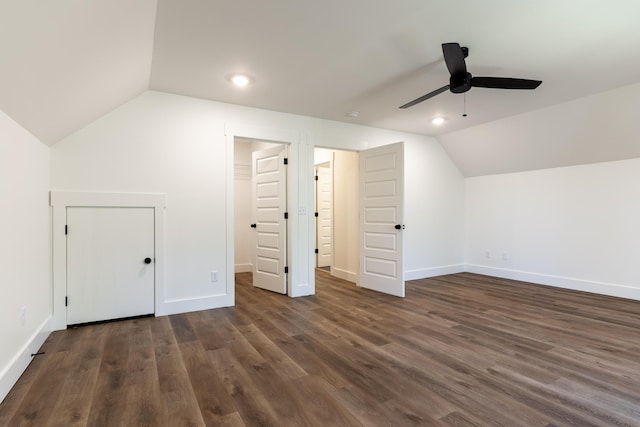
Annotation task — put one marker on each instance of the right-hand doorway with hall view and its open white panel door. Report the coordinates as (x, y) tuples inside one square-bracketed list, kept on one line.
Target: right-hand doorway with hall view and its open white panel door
[(368, 228)]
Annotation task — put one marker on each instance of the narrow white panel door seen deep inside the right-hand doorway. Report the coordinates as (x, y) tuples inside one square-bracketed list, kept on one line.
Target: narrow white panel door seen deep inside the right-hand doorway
[(324, 207)]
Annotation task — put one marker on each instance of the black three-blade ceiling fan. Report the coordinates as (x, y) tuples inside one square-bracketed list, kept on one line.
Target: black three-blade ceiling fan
[(461, 80)]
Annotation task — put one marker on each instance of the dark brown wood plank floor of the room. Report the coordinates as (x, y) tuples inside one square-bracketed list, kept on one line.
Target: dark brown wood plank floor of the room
[(459, 350)]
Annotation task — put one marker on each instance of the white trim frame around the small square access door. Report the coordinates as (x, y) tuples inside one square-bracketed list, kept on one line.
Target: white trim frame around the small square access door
[(61, 200)]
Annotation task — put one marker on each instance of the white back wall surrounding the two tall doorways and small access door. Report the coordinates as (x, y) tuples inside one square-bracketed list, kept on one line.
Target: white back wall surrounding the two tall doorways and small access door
[(162, 143)]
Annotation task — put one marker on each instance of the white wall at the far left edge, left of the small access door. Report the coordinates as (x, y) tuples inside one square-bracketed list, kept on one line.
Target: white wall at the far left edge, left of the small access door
[(25, 268)]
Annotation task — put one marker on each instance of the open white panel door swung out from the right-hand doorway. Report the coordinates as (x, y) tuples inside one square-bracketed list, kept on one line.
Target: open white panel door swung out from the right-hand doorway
[(381, 219)]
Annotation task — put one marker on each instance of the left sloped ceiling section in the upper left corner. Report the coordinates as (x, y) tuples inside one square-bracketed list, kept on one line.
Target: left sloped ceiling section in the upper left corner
[(65, 63)]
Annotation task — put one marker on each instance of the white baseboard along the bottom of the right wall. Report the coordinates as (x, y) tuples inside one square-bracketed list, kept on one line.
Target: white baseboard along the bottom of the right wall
[(610, 289)]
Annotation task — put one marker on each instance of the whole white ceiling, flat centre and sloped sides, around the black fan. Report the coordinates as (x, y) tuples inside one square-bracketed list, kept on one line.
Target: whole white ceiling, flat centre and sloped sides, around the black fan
[(66, 63)]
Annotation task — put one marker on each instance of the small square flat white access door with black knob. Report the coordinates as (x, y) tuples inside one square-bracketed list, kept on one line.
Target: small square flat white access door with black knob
[(107, 276)]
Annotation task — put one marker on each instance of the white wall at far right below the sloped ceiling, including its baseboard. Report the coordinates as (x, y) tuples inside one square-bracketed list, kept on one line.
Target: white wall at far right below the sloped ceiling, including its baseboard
[(576, 227)]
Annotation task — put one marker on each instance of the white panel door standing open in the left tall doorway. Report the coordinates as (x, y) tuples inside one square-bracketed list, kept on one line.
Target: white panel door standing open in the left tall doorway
[(269, 207)]
